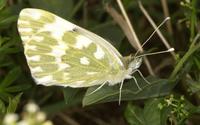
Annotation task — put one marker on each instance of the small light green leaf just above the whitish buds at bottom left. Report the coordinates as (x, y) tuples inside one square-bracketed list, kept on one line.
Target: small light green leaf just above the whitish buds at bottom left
[(13, 103)]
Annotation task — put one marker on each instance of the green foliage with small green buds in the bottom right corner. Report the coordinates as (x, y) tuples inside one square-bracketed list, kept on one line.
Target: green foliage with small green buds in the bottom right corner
[(160, 111)]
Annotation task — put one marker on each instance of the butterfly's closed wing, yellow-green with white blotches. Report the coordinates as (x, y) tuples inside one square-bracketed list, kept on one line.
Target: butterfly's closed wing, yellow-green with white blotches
[(61, 53)]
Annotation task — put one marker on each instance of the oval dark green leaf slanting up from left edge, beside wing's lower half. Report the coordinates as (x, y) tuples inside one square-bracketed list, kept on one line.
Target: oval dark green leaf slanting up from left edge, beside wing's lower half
[(11, 77)]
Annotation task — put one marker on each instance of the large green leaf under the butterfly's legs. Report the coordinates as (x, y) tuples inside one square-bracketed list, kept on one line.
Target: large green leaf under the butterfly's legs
[(157, 88)]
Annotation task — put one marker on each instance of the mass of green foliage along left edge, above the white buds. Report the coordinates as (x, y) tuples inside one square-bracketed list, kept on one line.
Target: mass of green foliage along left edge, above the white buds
[(10, 71)]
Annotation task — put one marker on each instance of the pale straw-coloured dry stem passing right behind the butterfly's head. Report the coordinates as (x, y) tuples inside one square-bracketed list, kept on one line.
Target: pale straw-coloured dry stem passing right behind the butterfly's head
[(136, 40)]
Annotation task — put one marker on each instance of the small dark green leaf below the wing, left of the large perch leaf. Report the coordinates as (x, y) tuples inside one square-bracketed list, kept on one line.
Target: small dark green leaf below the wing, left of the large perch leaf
[(73, 95)]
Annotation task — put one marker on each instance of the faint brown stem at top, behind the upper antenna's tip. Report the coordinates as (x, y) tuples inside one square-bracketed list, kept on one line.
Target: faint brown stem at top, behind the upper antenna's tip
[(166, 13)]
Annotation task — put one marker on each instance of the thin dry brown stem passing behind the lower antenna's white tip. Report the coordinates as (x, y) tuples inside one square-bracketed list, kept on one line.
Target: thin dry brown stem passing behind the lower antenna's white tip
[(154, 26)]
